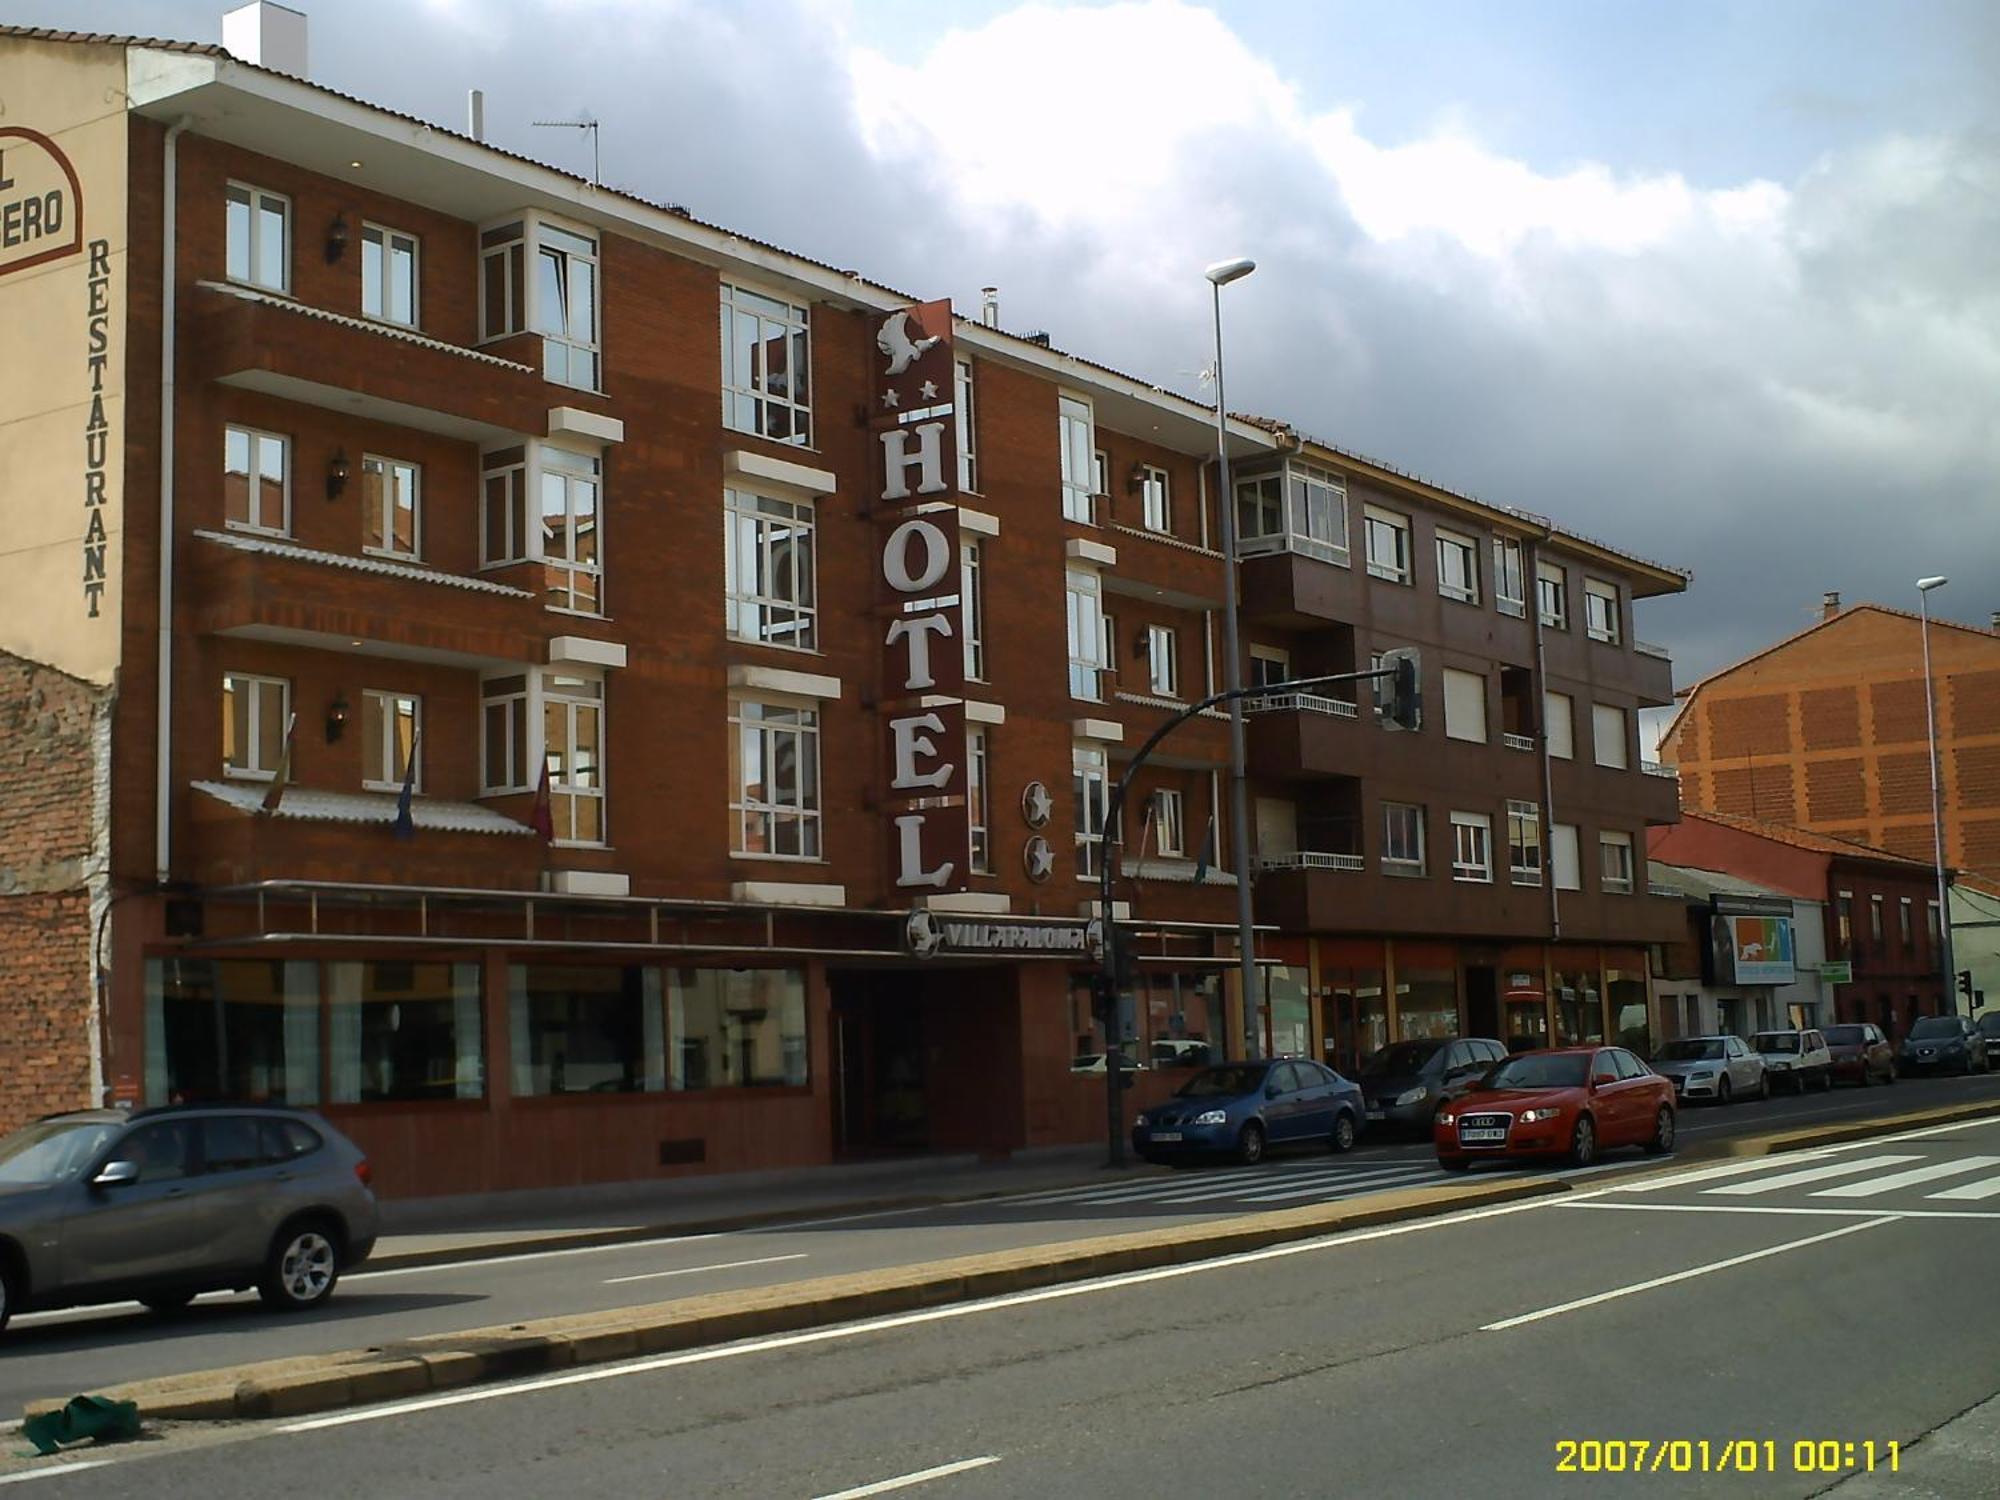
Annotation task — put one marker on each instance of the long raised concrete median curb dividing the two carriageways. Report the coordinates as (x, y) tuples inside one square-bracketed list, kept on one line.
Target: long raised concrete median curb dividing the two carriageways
[(417, 1367)]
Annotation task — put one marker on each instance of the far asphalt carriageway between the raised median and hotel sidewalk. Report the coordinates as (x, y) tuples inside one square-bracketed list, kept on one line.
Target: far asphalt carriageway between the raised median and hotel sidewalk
[(83, 1351)]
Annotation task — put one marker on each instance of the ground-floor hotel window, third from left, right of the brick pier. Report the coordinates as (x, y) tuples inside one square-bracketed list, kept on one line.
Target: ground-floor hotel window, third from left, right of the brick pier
[(587, 1029)]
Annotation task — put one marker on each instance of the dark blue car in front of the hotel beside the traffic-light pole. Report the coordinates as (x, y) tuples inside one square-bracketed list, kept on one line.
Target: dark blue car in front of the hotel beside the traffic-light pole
[(1241, 1109)]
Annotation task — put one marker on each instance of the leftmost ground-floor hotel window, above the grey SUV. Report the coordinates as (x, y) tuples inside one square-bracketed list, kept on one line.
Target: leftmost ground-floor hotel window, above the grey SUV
[(233, 1029)]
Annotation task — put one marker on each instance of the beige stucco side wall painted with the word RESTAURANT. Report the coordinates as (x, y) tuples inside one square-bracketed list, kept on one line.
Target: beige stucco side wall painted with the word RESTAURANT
[(63, 329)]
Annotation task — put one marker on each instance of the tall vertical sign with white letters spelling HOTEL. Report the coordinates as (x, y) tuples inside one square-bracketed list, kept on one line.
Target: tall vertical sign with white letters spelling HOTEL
[(923, 671)]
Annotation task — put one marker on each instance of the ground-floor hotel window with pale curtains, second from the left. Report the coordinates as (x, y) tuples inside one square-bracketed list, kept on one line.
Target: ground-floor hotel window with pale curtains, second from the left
[(405, 1031)]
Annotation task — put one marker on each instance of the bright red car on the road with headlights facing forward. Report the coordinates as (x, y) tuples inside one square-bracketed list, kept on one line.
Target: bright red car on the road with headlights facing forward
[(1573, 1103)]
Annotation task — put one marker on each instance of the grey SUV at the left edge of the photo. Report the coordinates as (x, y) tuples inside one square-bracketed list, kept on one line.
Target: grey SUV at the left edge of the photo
[(165, 1205)]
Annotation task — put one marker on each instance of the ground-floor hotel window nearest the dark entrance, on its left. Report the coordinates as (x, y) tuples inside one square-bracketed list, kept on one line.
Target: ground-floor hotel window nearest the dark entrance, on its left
[(737, 1029)]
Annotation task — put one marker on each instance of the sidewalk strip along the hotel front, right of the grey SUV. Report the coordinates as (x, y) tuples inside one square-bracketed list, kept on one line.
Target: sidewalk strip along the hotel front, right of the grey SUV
[(427, 1231)]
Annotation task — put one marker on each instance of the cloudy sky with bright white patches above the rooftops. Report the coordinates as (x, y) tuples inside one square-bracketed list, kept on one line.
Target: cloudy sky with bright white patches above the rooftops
[(1715, 283)]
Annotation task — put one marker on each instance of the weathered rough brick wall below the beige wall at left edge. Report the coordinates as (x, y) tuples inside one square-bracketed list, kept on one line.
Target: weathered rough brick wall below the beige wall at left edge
[(49, 809)]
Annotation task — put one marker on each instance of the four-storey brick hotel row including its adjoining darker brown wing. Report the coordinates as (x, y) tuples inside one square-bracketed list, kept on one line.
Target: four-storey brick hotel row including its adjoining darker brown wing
[(451, 687)]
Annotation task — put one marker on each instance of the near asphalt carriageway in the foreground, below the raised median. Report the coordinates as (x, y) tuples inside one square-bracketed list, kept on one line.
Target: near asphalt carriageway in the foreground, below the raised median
[(1717, 1317)]
